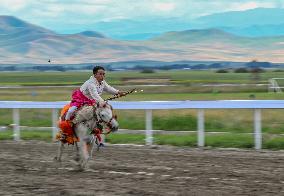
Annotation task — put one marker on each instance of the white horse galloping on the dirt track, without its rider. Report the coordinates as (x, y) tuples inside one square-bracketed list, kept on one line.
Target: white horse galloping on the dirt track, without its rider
[(86, 120)]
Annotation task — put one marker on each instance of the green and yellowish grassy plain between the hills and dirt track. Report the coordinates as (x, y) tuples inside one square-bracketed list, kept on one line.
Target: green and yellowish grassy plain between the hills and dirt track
[(188, 85)]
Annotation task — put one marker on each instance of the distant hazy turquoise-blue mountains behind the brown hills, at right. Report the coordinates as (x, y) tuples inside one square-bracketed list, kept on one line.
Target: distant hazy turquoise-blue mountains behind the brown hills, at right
[(257, 22)]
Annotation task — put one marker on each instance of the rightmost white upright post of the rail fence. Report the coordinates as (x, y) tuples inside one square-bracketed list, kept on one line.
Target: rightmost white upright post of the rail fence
[(257, 129)]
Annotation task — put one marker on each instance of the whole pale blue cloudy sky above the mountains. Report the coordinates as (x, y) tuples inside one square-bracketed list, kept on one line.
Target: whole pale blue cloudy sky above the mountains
[(72, 16)]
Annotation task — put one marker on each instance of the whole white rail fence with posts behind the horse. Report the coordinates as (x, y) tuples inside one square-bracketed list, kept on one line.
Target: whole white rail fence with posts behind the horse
[(149, 106)]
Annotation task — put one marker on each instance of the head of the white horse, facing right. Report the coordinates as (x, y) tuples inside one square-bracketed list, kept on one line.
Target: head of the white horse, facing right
[(104, 113)]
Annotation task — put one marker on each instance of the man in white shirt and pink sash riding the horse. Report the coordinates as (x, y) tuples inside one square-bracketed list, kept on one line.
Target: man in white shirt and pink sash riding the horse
[(89, 94)]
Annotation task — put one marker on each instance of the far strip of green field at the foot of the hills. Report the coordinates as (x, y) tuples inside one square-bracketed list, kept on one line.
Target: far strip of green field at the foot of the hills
[(179, 76)]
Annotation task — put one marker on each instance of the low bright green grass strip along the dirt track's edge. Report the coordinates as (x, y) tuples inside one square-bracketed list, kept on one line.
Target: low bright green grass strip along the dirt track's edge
[(222, 140)]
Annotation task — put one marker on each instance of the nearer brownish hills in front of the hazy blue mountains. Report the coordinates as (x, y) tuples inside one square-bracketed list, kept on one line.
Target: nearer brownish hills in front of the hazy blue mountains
[(24, 43)]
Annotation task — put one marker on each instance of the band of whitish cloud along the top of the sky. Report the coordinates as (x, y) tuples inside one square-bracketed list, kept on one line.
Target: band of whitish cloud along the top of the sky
[(113, 9)]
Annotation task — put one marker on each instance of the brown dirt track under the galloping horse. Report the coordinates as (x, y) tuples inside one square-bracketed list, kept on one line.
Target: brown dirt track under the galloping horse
[(27, 168)]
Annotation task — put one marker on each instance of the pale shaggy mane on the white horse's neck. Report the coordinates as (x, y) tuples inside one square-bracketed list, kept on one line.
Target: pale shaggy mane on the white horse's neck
[(85, 113)]
